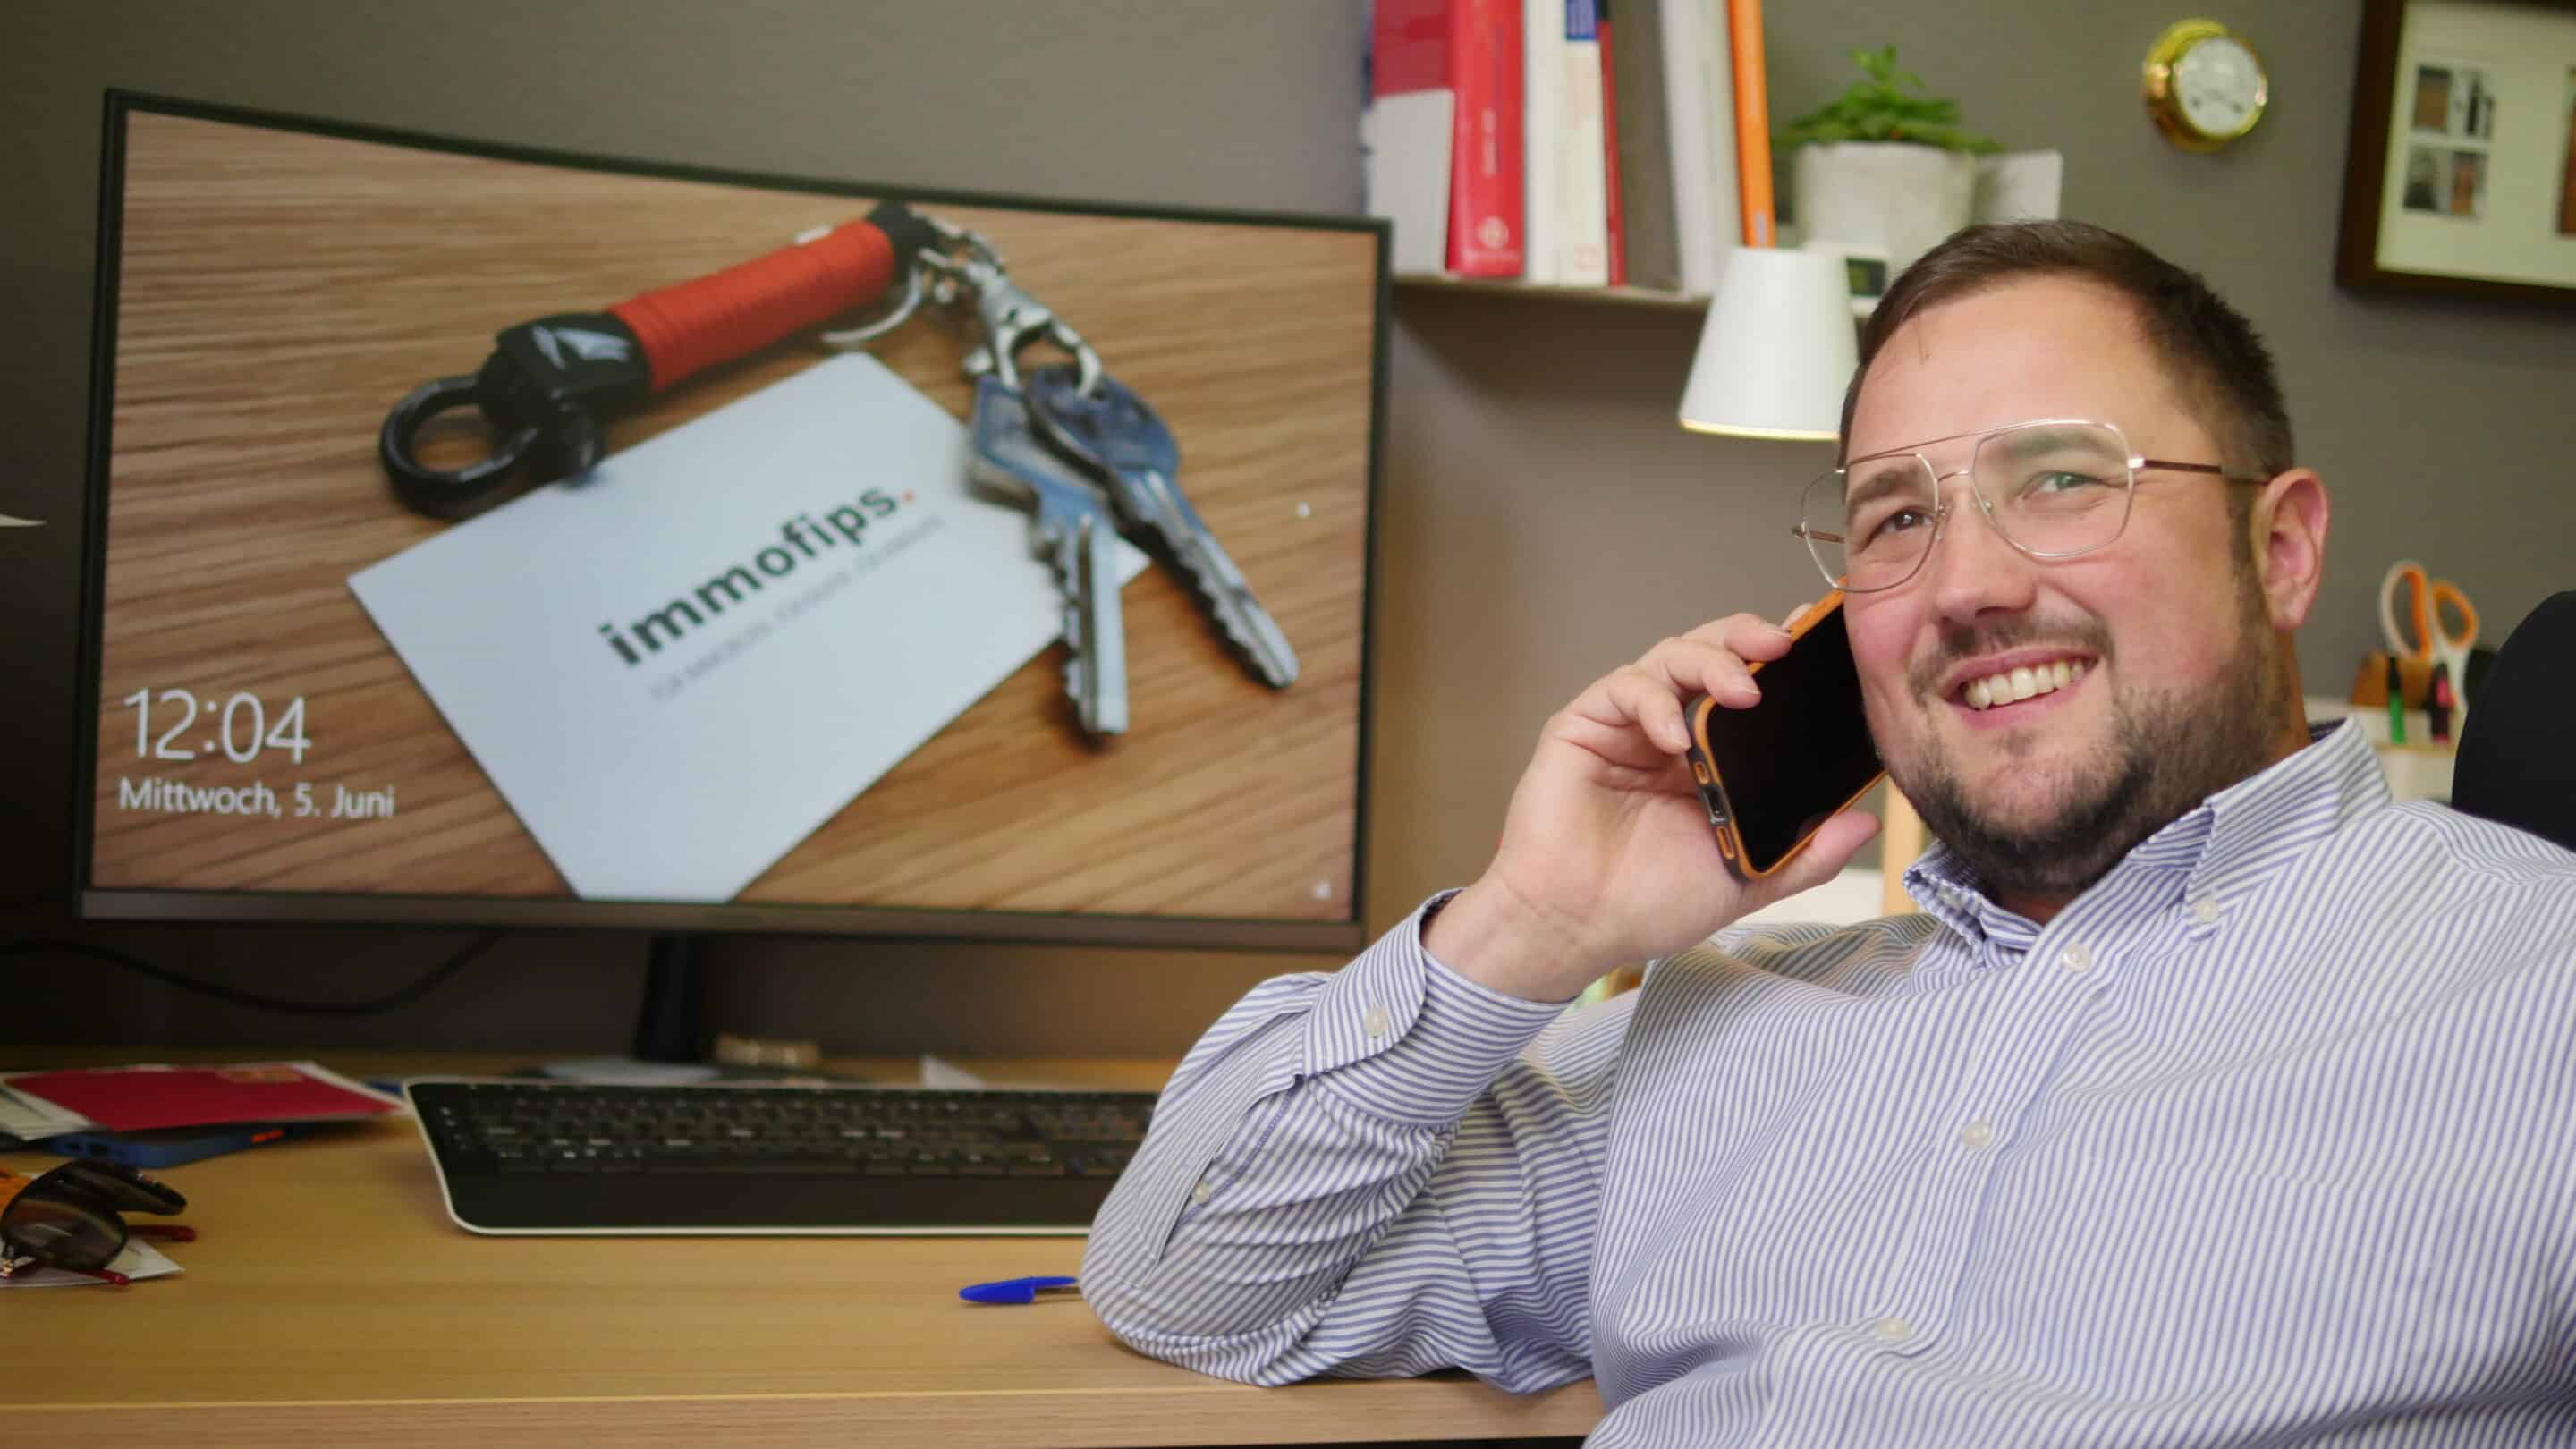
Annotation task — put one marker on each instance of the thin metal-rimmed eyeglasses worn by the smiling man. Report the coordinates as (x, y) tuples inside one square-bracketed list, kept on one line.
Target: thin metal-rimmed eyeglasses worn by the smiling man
[(2052, 489)]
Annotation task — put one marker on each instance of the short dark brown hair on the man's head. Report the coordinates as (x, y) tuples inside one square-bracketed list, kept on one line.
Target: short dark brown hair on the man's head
[(2217, 362)]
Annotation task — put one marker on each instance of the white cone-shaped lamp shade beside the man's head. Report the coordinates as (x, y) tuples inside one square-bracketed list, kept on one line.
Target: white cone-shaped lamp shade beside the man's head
[(1776, 349)]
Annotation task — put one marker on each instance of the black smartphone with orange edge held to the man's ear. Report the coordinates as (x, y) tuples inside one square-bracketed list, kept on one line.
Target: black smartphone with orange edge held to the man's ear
[(1799, 757)]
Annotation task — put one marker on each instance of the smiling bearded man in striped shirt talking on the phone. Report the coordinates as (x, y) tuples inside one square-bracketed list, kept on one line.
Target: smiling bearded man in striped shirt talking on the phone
[(2211, 1100)]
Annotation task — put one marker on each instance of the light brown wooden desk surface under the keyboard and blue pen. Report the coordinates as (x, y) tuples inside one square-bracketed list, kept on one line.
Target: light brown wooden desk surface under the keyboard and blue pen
[(328, 1301)]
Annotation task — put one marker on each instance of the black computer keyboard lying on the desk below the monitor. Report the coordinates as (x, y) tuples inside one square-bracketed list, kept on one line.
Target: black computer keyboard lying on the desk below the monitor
[(522, 1156)]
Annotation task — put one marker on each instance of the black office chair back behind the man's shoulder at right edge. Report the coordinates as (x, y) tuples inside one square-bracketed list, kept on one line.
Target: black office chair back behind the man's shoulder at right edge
[(2515, 746)]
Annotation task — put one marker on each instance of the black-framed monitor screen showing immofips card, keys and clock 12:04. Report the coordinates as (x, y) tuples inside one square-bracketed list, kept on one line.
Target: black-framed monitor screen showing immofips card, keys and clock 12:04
[(506, 538)]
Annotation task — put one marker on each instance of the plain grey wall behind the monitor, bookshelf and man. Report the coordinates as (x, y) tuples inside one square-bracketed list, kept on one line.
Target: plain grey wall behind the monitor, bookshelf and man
[(1544, 520)]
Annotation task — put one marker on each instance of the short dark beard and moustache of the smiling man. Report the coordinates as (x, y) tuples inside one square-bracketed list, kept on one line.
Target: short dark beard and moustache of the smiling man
[(2165, 757)]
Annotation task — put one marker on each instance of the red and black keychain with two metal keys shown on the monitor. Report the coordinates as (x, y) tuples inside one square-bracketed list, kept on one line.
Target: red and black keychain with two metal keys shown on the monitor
[(1088, 458)]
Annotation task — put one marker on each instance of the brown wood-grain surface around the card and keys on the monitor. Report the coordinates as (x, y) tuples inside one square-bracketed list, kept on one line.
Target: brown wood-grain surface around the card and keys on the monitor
[(256, 731)]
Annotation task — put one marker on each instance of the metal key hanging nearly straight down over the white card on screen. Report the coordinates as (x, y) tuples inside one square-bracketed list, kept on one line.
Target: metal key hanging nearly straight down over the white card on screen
[(1073, 532)]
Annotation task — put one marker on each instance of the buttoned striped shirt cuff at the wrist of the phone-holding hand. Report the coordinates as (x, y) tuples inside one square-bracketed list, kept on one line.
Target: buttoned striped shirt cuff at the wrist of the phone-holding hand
[(1410, 1040)]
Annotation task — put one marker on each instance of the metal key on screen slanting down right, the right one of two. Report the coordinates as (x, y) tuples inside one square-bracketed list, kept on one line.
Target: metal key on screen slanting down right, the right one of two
[(1132, 452)]
